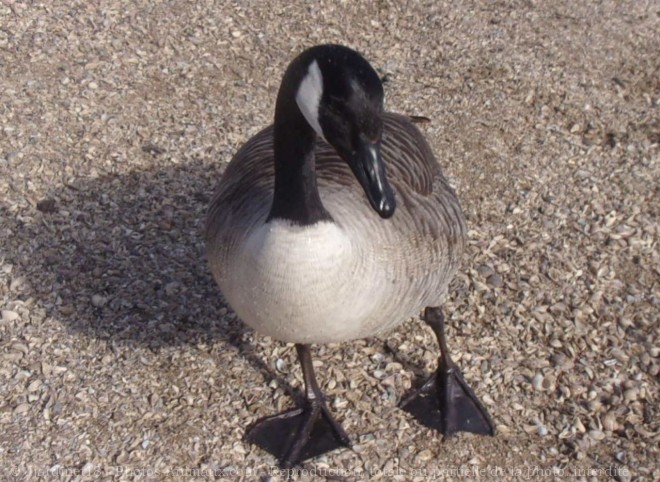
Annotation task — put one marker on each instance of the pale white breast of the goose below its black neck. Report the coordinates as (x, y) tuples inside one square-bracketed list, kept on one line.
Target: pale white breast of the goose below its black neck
[(307, 284)]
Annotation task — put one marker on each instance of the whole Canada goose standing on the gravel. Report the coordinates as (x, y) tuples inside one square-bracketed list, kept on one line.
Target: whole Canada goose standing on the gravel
[(310, 243)]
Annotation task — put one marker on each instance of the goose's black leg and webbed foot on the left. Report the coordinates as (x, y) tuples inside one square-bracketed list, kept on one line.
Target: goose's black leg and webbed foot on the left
[(302, 433)]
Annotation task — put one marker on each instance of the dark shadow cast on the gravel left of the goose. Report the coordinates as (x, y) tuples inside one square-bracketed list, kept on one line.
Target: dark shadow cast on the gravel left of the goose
[(121, 258)]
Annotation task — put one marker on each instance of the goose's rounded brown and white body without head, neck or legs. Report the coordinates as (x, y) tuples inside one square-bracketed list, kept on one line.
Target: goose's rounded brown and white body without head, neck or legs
[(349, 277)]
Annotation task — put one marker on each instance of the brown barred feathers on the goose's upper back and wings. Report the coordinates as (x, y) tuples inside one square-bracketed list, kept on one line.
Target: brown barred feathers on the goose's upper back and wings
[(427, 204)]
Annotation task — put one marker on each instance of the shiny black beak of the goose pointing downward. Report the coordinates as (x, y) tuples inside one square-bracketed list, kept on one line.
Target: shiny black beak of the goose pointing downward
[(369, 169)]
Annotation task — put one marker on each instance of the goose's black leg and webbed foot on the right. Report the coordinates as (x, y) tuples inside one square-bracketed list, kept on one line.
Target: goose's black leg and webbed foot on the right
[(458, 409)]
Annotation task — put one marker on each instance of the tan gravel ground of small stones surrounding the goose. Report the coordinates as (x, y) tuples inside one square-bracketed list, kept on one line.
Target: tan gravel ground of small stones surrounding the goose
[(120, 360)]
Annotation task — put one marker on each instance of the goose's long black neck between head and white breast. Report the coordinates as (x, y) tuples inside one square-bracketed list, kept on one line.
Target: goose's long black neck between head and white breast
[(296, 197)]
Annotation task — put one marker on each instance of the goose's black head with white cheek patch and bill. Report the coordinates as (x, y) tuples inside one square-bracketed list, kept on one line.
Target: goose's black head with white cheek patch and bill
[(341, 97)]
